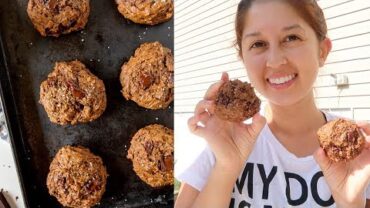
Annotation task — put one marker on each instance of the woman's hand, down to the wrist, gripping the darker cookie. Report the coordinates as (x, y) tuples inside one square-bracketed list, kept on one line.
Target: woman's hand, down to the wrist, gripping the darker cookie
[(231, 142)]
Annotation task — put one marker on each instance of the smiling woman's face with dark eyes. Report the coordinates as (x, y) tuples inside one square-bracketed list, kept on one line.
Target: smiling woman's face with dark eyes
[(280, 52)]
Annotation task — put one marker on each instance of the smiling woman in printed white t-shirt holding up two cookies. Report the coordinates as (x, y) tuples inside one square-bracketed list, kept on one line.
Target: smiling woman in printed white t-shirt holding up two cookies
[(276, 161)]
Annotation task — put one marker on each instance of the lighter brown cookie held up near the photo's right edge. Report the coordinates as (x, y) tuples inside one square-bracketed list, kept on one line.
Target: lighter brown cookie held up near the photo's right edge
[(341, 140)]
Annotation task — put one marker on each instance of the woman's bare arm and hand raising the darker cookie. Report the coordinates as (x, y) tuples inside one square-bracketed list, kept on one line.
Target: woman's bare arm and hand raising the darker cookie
[(231, 144)]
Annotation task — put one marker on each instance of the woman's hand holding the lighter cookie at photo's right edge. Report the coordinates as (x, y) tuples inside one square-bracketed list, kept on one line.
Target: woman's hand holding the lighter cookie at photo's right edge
[(349, 180)]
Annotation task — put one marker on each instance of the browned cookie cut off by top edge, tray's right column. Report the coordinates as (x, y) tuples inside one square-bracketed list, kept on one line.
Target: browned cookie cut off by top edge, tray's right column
[(149, 12)]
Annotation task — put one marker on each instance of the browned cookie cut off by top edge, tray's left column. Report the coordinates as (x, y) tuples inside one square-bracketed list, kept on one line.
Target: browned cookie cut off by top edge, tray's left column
[(56, 17)]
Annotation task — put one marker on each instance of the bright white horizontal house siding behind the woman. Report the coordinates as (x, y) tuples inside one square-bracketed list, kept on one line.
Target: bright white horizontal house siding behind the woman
[(204, 37)]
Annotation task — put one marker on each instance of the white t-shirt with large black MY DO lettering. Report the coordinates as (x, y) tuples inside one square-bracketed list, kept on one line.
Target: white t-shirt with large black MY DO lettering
[(272, 177)]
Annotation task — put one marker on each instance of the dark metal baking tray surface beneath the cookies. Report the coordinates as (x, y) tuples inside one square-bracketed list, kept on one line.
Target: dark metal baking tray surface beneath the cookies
[(107, 41)]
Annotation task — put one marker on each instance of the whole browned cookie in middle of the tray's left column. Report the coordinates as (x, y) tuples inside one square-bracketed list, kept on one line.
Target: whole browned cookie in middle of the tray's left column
[(72, 94)]
